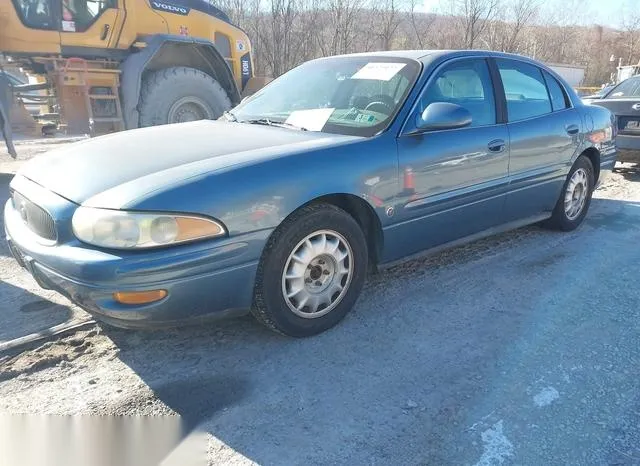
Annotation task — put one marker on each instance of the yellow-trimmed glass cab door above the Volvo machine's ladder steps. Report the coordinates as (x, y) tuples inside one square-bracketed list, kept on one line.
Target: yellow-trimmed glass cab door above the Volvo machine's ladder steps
[(88, 27)]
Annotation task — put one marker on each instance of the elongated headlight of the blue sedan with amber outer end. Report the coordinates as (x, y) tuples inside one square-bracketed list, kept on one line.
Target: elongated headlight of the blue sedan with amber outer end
[(125, 230)]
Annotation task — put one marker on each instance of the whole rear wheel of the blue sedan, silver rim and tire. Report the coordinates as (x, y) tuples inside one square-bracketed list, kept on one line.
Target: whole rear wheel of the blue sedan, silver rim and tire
[(575, 198)]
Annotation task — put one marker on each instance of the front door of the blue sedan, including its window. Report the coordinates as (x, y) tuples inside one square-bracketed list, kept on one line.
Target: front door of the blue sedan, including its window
[(452, 182)]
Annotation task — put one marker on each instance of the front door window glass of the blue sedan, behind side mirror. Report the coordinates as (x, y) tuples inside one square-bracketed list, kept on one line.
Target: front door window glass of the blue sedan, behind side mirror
[(466, 83)]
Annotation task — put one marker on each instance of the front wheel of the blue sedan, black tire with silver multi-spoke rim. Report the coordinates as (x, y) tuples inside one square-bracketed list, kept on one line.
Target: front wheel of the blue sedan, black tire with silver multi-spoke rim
[(270, 305)]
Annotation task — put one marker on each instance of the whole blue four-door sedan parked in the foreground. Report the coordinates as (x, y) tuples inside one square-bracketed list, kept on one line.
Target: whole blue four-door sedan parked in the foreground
[(283, 206)]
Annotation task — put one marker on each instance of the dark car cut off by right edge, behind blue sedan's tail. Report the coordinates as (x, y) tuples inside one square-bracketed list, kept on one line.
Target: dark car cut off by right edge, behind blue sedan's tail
[(624, 102)]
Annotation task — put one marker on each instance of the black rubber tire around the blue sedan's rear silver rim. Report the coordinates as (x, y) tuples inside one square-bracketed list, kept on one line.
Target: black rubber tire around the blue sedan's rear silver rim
[(561, 218)]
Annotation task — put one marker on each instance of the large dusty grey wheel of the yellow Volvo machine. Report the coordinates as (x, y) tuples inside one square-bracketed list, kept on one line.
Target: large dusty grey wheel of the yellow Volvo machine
[(180, 91)]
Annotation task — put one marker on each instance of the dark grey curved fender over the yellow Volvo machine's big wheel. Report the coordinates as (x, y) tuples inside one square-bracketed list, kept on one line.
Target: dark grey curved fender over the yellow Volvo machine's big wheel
[(165, 51)]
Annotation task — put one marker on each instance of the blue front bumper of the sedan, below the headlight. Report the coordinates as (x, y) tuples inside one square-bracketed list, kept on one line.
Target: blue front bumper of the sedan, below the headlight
[(213, 278)]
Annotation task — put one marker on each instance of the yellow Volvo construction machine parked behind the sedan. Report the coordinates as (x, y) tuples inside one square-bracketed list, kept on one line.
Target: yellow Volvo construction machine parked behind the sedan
[(110, 65)]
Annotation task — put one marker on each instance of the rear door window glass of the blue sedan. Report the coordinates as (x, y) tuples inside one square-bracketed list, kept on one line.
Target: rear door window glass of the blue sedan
[(525, 90)]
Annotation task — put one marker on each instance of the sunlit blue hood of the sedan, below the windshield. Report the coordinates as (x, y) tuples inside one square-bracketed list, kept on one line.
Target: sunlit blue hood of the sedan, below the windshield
[(166, 154)]
